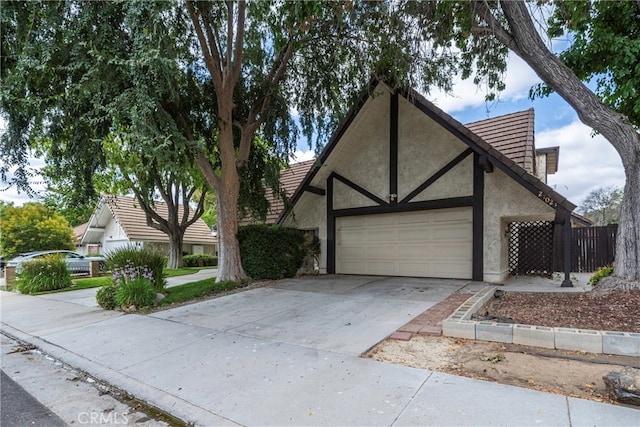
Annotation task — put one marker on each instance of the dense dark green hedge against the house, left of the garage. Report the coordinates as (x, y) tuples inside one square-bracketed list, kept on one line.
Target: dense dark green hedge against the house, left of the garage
[(271, 252)]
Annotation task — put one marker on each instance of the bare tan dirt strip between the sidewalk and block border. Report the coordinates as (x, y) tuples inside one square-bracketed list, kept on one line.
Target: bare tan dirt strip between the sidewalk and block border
[(568, 373)]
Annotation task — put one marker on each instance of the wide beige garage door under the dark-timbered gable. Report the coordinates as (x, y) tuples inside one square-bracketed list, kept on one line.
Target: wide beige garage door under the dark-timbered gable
[(436, 243)]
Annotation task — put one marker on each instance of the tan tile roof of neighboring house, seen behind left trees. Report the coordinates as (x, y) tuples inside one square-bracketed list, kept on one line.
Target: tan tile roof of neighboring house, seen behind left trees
[(133, 221)]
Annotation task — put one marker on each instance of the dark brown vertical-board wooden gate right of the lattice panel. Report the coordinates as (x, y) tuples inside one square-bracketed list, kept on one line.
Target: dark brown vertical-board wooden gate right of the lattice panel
[(591, 248)]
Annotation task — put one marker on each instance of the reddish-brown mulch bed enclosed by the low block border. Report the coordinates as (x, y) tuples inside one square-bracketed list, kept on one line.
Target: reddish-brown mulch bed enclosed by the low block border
[(611, 311)]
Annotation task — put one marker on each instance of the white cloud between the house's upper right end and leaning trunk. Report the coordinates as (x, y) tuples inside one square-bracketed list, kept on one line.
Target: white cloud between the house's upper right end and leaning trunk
[(586, 162)]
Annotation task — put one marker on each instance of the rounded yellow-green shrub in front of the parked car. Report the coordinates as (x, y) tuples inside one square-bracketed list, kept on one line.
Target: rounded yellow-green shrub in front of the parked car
[(47, 274)]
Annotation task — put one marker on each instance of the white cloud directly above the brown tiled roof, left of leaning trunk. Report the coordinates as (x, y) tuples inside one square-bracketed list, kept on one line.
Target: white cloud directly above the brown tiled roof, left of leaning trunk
[(518, 80)]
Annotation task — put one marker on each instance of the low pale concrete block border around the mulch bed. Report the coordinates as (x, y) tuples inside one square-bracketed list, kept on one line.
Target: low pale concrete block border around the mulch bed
[(460, 325)]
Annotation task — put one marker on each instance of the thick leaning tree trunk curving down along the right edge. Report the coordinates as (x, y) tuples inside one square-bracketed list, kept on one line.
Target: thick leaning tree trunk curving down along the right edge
[(522, 38)]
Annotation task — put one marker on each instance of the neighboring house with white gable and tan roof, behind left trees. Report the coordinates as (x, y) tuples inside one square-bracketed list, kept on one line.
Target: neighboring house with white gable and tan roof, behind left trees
[(119, 221)]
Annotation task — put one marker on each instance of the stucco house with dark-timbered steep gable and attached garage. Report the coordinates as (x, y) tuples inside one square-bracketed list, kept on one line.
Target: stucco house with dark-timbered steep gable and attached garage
[(403, 189)]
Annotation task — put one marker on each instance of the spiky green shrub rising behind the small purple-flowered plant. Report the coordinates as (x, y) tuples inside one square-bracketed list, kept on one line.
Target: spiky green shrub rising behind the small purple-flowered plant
[(147, 257)]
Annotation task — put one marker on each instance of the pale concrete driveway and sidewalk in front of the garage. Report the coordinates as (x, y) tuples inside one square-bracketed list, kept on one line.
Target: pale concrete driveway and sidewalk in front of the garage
[(286, 355)]
